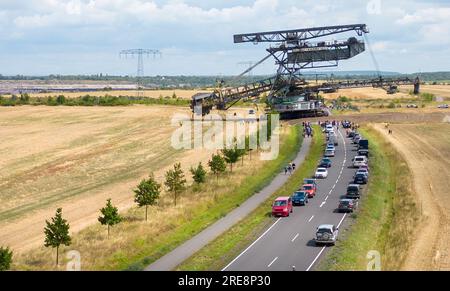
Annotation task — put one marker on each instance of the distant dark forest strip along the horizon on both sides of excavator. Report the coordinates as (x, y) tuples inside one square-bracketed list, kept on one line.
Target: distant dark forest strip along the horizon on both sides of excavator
[(211, 81)]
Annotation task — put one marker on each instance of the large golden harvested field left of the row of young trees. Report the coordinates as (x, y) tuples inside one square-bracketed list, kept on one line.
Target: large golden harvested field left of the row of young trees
[(76, 158)]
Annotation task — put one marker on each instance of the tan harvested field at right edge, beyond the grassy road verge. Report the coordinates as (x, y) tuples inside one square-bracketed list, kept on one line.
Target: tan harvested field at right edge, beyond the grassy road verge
[(426, 148)]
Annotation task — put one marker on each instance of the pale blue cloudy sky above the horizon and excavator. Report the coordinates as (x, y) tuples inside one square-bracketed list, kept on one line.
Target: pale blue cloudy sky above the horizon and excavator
[(40, 37)]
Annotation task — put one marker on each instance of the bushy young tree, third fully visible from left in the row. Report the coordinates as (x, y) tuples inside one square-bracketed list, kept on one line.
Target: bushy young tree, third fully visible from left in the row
[(147, 193)]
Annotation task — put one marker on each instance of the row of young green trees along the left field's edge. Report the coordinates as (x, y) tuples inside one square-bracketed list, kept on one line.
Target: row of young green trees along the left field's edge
[(146, 194)]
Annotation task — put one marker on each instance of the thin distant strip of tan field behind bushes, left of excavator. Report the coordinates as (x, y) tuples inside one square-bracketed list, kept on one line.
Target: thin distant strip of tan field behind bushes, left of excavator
[(184, 94)]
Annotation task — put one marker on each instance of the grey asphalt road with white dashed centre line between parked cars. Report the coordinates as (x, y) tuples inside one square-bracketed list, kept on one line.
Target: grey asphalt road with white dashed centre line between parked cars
[(289, 241)]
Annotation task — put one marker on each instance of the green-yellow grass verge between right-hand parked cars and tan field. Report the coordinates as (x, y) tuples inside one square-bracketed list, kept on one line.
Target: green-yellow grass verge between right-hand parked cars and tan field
[(386, 217)]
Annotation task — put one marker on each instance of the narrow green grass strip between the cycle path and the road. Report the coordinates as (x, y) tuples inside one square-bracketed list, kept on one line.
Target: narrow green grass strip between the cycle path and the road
[(226, 247)]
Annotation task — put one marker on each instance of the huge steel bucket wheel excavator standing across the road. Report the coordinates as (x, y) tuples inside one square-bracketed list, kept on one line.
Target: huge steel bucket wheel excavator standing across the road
[(294, 51)]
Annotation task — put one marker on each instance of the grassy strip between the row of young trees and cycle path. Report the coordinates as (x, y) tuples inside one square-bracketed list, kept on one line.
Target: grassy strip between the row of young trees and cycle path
[(134, 244)]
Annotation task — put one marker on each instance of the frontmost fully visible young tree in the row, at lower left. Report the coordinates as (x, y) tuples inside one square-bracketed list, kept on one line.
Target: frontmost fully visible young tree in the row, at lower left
[(57, 233)]
